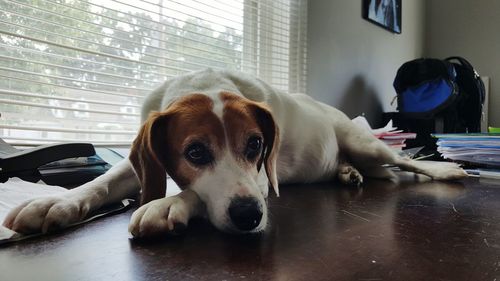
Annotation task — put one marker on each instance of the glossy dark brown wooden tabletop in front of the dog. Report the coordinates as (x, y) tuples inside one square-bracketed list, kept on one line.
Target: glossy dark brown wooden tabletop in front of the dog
[(384, 231)]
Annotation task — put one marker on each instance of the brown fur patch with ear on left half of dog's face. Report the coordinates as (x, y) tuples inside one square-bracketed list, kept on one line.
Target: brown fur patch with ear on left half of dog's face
[(161, 142)]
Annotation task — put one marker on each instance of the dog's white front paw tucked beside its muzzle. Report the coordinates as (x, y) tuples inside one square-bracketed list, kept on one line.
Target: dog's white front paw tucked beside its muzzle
[(163, 216)]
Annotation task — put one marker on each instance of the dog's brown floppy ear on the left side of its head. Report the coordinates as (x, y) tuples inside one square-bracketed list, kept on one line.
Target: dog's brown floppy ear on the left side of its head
[(147, 156)]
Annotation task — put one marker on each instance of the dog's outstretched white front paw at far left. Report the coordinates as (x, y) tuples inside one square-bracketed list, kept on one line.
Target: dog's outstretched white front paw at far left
[(45, 214)]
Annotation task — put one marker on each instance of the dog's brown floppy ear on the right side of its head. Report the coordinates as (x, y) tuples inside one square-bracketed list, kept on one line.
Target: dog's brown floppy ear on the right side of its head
[(270, 131)]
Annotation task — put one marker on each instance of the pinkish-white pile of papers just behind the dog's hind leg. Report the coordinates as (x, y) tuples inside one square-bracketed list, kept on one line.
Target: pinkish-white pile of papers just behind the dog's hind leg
[(388, 134)]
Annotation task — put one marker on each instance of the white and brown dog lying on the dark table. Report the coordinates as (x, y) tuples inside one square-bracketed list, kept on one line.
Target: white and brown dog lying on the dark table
[(225, 138)]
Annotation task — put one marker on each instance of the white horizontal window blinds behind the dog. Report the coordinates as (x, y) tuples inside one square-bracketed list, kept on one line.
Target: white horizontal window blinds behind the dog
[(78, 70)]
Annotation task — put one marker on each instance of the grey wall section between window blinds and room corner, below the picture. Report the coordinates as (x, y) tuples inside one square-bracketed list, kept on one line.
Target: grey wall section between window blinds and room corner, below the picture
[(352, 62)]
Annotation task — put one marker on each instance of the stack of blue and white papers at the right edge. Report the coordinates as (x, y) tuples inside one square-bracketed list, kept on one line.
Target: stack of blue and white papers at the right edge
[(473, 148)]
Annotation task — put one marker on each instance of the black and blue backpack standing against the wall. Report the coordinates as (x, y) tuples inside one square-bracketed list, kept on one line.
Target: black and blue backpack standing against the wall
[(450, 89)]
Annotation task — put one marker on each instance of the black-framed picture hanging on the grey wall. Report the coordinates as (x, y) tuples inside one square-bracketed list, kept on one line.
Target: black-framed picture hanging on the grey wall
[(384, 13)]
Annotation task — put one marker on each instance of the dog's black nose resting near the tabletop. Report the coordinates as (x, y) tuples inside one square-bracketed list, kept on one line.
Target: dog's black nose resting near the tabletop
[(245, 213)]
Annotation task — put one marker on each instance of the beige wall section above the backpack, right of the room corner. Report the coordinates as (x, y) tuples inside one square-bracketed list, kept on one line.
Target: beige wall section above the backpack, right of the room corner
[(470, 29)]
